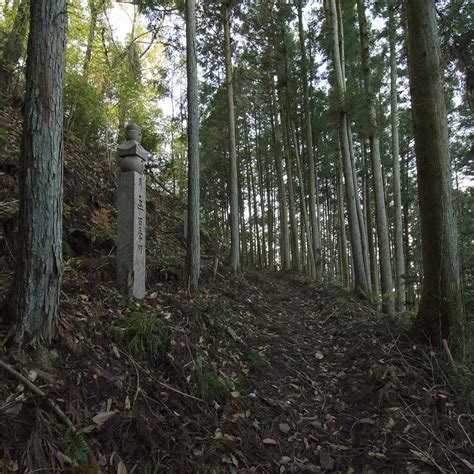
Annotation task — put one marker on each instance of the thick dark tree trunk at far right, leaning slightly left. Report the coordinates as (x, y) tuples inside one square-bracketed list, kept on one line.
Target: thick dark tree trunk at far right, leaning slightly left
[(441, 311)]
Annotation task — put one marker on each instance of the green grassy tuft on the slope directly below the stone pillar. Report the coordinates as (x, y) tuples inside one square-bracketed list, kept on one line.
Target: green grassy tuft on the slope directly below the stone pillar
[(144, 334)]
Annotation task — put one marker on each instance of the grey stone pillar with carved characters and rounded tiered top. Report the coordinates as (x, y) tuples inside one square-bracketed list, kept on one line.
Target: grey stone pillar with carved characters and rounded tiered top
[(131, 222)]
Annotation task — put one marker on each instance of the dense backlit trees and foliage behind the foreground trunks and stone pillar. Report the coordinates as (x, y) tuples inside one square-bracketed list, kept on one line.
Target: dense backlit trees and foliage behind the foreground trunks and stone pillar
[(286, 104)]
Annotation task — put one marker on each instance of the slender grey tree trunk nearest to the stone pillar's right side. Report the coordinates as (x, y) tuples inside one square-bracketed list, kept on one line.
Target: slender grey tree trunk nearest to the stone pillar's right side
[(193, 257)]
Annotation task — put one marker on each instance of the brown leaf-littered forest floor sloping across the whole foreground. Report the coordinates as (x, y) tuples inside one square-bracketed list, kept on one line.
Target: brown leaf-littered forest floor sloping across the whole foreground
[(264, 372)]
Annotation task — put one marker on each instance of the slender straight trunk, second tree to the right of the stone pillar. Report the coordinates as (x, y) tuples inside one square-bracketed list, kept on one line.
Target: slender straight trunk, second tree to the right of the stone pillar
[(234, 181)]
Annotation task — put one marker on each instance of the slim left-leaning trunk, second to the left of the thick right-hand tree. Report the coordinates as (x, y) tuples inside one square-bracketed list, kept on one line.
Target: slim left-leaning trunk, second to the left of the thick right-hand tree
[(380, 212)]
